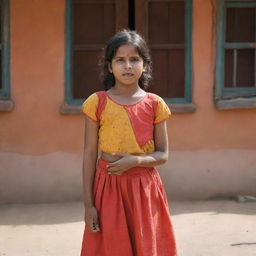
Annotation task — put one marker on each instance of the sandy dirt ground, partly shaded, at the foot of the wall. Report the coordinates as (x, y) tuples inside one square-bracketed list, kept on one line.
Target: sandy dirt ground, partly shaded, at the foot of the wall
[(202, 228)]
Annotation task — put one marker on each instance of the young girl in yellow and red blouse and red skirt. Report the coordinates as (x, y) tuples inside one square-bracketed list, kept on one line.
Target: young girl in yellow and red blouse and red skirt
[(126, 209)]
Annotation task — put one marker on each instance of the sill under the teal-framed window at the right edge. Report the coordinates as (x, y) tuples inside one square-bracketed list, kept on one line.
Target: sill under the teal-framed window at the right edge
[(239, 103)]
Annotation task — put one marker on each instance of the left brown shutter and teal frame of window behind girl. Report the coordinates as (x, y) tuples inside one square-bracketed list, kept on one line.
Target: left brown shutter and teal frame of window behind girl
[(88, 25)]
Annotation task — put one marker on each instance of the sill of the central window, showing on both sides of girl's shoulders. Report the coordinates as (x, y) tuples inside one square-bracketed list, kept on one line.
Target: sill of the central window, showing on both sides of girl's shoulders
[(175, 108)]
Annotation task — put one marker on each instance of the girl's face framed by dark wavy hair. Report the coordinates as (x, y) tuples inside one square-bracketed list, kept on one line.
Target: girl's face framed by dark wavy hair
[(127, 65)]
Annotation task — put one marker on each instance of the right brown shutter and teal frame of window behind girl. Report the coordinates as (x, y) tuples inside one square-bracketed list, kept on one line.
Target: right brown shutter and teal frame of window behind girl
[(169, 36)]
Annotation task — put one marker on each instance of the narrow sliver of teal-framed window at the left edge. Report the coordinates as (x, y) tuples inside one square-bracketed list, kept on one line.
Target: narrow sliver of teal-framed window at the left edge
[(4, 50)]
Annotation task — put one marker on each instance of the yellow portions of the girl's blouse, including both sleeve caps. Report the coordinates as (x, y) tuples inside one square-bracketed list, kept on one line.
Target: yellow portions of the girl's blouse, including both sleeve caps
[(116, 134)]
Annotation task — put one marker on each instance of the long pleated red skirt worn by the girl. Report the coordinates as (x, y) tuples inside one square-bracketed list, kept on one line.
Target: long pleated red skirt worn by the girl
[(133, 213)]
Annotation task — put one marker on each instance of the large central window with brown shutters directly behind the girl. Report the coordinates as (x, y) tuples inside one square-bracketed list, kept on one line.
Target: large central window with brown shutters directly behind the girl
[(166, 25)]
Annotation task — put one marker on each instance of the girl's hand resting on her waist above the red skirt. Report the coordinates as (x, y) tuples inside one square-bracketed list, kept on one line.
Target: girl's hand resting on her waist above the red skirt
[(126, 162)]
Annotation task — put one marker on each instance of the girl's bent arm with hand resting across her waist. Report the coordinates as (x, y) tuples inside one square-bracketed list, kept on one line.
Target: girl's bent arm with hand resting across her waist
[(159, 157)]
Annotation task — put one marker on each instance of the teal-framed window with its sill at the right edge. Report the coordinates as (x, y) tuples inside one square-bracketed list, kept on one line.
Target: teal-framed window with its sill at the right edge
[(236, 54)]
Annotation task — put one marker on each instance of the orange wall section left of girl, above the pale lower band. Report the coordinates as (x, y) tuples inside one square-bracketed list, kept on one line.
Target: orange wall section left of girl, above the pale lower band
[(35, 126)]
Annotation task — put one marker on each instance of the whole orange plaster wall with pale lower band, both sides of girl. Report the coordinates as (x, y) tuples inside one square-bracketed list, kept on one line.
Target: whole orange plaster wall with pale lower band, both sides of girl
[(212, 152)]
